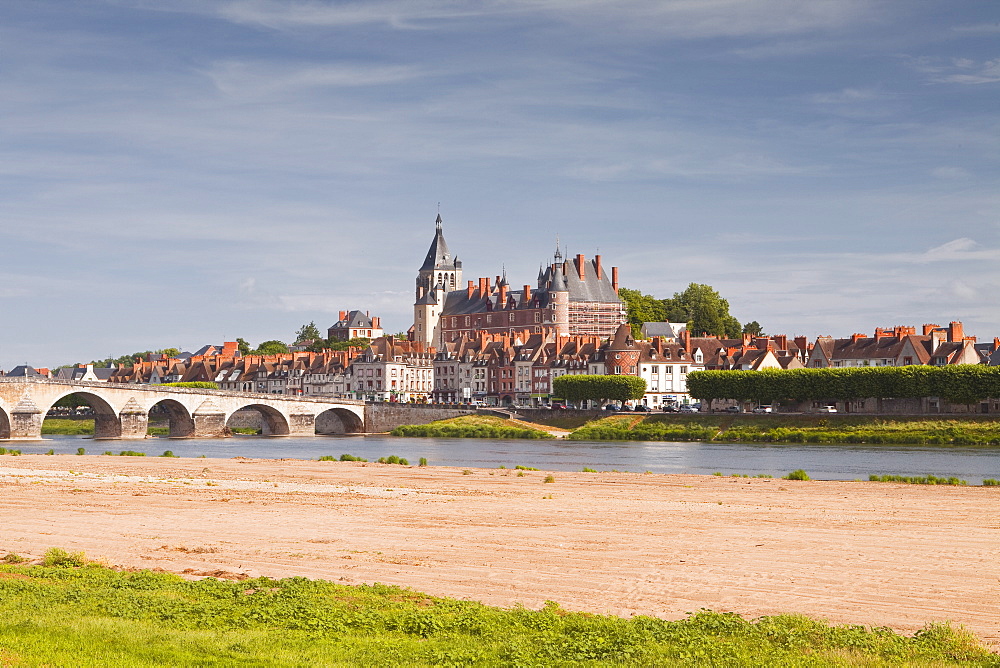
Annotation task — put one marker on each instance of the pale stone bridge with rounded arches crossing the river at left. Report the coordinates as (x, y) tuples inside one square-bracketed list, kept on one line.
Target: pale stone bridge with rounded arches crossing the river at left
[(122, 411)]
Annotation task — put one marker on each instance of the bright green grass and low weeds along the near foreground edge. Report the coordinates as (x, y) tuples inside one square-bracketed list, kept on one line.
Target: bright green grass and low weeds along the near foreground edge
[(81, 612)]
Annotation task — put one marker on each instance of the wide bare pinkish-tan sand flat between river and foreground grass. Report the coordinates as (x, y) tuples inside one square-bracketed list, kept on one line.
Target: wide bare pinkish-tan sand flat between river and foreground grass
[(664, 545)]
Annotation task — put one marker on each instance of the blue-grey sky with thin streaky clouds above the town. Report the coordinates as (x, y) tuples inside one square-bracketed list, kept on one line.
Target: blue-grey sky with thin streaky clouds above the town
[(180, 173)]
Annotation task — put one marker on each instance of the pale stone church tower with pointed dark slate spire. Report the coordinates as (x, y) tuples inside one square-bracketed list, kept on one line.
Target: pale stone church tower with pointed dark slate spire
[(439, 274)]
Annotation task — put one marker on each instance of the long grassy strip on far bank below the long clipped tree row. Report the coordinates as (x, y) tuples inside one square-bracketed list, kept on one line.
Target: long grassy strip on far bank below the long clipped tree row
[(793, 429)]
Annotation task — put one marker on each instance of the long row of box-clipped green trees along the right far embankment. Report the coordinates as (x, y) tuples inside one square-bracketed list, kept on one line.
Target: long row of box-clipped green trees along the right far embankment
[(960, 384)]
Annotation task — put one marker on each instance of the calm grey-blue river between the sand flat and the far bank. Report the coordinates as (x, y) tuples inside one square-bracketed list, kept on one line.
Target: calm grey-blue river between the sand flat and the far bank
[(823, 462)]
